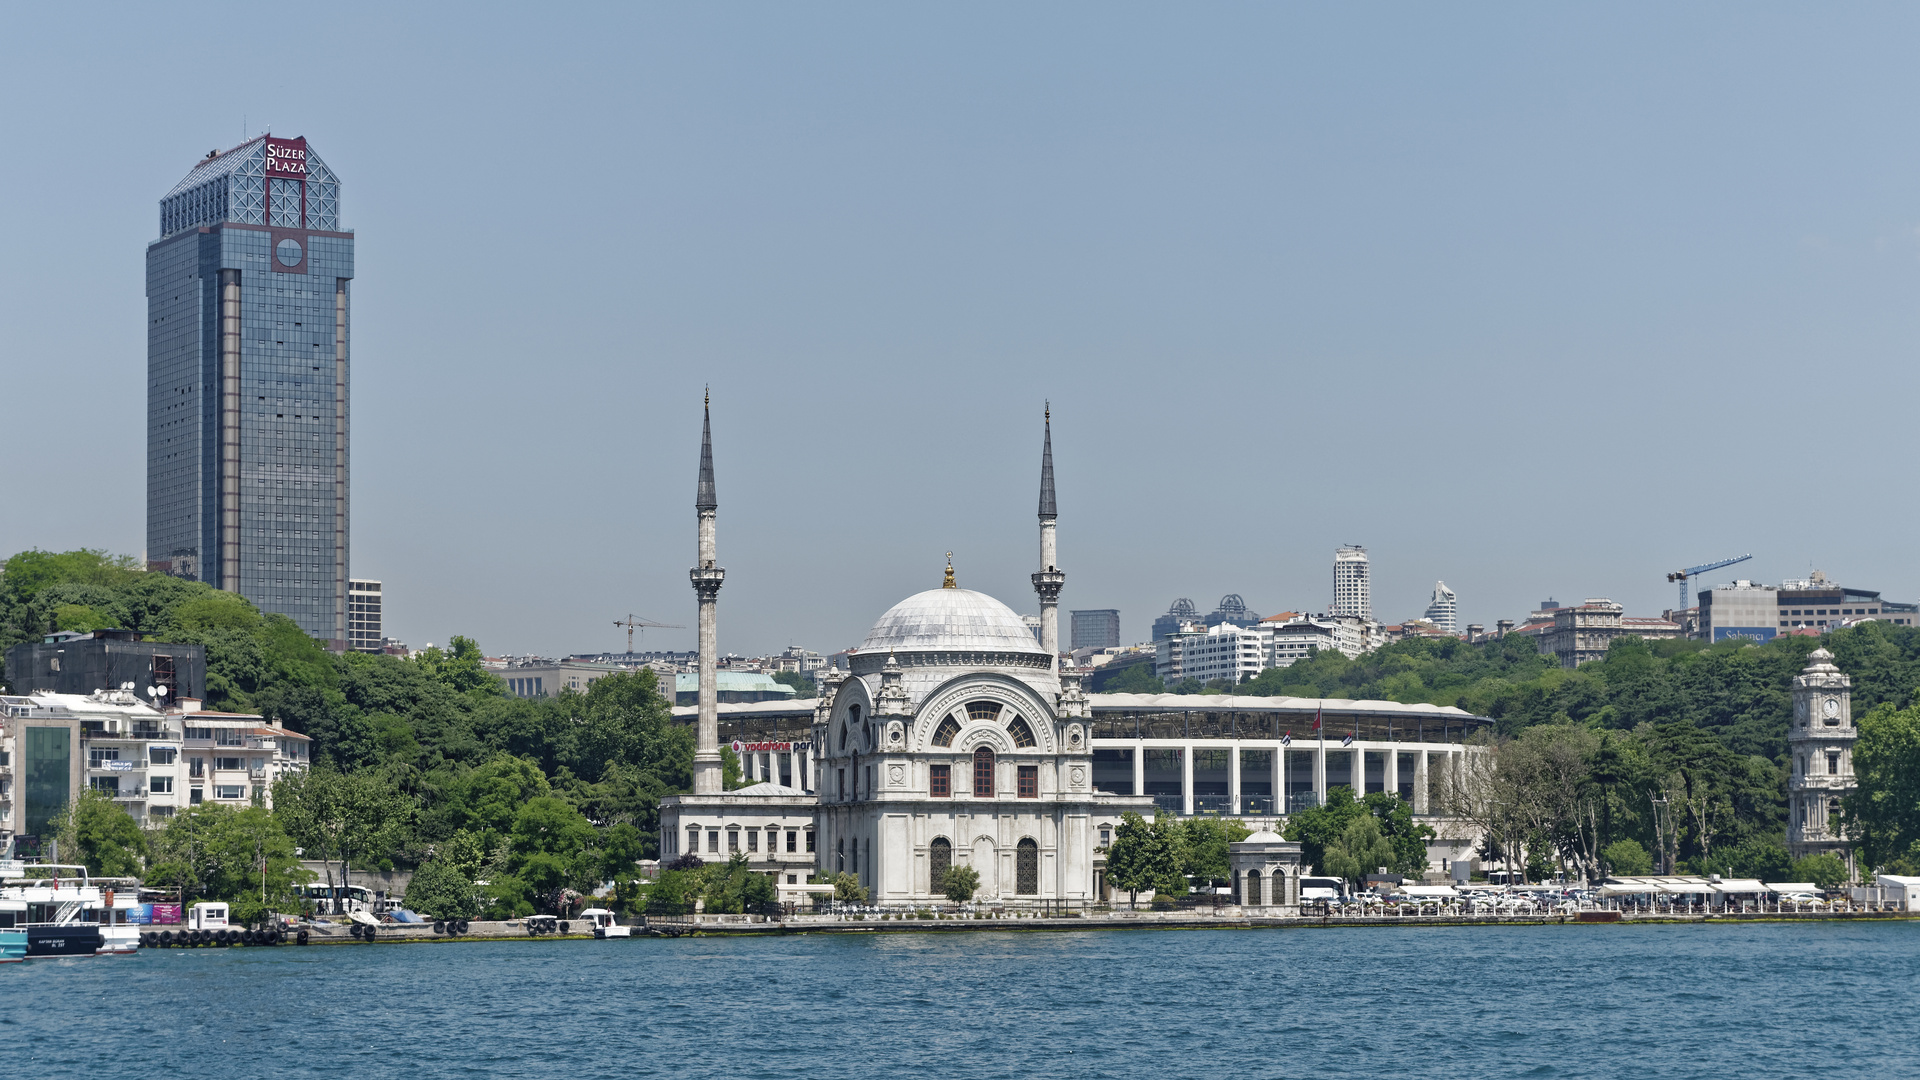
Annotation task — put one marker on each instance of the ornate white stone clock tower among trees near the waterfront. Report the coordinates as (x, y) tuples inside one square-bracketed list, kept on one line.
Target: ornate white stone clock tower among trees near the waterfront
[(1821, 741)]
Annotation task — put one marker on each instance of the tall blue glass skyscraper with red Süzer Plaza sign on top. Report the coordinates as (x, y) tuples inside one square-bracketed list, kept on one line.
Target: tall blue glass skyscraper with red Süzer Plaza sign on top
[(247, 466)]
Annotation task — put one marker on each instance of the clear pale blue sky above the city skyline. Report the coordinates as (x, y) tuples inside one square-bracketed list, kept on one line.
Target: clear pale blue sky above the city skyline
[(1541, 301)]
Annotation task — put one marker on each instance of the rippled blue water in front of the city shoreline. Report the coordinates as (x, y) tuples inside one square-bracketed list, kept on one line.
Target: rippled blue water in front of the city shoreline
[(1650, 1002)]
